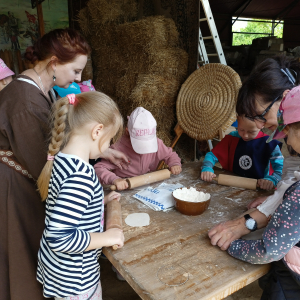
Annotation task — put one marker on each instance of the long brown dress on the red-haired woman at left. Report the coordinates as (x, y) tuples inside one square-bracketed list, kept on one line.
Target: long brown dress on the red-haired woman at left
[(24, 129)]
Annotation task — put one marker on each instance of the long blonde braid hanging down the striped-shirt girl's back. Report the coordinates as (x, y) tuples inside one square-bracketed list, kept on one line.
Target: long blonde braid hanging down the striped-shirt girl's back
[(59, 138)]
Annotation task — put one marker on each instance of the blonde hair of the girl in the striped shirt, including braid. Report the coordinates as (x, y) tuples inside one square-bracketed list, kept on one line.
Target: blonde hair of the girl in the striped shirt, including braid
[(87, 107)]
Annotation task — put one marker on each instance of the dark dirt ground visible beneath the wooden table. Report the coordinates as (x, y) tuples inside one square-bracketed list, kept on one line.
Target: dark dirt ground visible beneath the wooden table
[(114, 289)]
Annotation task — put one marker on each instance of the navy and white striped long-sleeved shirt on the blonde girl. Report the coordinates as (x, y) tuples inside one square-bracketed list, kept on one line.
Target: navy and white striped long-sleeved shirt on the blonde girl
[(74, 207)]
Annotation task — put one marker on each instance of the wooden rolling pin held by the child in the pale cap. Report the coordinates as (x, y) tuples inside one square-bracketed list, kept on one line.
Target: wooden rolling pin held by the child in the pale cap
[(148, 178)]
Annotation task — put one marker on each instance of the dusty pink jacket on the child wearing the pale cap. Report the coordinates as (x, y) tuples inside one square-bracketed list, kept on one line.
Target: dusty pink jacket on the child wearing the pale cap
[(139, 163)]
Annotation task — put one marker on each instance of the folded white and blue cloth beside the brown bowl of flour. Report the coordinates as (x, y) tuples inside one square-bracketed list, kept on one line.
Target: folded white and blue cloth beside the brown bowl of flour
[(159, 198)]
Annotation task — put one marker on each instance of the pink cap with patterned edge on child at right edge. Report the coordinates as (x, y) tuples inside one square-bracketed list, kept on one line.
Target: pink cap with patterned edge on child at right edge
[(288, 113)]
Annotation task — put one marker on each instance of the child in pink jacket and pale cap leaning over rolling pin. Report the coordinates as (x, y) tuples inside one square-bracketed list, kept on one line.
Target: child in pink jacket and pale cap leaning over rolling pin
[(143, 149)]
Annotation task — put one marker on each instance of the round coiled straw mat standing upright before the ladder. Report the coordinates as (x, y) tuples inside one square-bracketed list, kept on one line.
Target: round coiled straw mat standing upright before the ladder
[(206, 101)]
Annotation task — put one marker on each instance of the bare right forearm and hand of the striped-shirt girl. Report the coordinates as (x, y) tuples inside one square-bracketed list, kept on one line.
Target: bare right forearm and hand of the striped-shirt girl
[(108, 238)]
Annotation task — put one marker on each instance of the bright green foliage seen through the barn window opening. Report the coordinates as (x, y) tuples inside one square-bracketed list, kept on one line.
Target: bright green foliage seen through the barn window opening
[(259, 27)]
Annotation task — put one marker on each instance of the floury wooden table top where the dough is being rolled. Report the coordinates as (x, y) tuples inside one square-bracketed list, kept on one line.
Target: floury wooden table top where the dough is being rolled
[(172, 258)]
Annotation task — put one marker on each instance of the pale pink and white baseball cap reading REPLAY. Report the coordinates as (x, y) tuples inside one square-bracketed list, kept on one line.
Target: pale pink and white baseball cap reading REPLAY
[(142, 130)]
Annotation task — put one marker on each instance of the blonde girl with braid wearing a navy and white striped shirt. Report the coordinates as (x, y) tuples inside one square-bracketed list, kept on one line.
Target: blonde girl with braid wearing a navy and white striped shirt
[(83, 127)]
